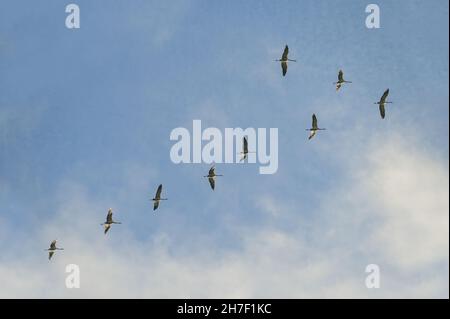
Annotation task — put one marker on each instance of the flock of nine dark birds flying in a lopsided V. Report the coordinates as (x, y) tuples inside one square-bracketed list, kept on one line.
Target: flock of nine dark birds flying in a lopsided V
[(211, 173)]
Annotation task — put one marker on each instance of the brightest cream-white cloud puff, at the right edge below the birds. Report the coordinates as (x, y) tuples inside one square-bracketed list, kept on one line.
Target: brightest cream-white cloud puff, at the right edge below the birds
[(412, 201)]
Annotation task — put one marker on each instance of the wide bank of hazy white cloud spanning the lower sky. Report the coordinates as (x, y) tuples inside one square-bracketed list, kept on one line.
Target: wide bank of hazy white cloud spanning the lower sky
[(391, 209)]
